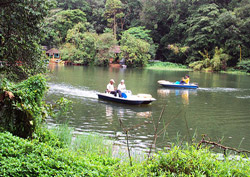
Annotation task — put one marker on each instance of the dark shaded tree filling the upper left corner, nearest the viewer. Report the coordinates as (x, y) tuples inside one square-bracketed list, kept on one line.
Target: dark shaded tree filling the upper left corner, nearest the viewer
[(21, 29)]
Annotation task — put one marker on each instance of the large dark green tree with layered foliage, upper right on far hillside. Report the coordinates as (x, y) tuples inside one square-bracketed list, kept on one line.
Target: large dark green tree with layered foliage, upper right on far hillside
[(202, 30)]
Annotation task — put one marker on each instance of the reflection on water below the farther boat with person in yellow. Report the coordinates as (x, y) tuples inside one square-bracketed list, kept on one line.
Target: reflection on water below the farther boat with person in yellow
[(184, 93)]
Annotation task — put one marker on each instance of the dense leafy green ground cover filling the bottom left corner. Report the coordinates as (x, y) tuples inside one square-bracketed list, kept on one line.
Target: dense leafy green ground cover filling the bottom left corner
[(21, 157)]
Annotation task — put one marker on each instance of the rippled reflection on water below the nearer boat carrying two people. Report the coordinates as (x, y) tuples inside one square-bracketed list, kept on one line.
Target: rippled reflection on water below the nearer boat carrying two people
[(125, 111)]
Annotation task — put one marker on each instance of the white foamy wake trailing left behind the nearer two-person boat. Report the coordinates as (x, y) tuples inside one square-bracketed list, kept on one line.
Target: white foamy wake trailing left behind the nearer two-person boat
[(71, 91)]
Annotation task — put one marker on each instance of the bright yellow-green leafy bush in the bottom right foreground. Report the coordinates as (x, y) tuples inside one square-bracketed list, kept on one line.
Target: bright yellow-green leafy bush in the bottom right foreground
[(186, 161)]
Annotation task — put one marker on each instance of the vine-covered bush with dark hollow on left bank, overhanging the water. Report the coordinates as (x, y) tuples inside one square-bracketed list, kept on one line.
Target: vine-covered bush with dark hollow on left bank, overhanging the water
[(22, 109)]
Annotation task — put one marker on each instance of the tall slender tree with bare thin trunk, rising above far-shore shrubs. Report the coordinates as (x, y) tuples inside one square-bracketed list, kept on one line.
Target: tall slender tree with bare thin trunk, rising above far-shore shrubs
[(113, 12)]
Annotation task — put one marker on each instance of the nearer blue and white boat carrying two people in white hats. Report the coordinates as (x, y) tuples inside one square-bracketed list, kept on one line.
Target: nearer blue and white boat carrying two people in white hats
[(132, 99)]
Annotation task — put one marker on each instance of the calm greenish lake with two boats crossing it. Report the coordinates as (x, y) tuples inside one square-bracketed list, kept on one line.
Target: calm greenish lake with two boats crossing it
[(219, 108)]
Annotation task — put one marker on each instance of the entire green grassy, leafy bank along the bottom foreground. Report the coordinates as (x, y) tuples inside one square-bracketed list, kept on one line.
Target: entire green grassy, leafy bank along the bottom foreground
[(50, 155)]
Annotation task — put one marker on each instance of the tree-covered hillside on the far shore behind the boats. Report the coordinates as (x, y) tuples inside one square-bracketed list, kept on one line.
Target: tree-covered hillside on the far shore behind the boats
[(200, 33)]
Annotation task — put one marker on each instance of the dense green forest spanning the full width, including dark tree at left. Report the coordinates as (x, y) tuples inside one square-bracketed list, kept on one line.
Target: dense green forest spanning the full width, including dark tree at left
[(210, 34)]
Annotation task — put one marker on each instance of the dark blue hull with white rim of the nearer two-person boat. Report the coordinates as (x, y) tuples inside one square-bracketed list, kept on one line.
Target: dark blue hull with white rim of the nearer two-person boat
[(109, 97)]
